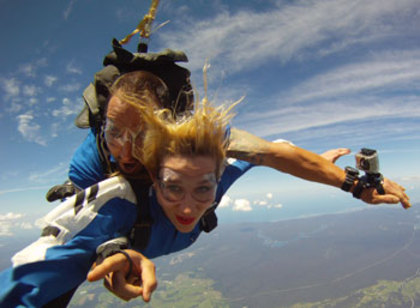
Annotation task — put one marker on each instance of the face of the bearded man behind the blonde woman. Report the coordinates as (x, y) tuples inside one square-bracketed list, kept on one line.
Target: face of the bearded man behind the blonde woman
[(123, 132)]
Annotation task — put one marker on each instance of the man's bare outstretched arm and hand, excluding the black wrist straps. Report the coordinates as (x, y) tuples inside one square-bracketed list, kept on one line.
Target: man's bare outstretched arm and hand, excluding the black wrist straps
[(304, 164)]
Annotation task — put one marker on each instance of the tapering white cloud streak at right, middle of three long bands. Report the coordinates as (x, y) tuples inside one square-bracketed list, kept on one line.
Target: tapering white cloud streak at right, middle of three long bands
[(386, 71)]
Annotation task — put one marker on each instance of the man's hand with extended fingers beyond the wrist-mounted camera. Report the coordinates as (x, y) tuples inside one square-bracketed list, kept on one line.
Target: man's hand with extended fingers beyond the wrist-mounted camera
[(394, 193)]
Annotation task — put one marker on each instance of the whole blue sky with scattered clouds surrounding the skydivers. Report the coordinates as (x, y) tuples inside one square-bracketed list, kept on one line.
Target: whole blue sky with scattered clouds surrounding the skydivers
[(321, 73)]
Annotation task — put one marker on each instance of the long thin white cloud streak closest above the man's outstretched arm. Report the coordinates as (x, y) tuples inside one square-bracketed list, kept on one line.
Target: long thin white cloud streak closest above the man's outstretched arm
[(308, 116)]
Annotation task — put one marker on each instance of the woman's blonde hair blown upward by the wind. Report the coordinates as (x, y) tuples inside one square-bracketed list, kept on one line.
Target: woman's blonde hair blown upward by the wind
[(200, 133)]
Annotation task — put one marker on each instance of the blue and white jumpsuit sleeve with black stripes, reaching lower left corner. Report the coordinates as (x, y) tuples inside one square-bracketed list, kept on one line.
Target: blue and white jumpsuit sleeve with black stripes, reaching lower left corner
[(61, 258)]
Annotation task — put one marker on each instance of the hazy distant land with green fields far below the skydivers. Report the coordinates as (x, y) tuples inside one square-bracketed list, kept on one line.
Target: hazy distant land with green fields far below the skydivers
[(368, 258)]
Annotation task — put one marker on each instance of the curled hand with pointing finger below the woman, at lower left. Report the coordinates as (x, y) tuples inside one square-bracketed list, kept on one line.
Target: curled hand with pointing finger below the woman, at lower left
[(114, 269)]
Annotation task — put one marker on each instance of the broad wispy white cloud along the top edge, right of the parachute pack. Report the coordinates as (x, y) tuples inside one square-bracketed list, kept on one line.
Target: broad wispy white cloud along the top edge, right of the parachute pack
[(238, 41)]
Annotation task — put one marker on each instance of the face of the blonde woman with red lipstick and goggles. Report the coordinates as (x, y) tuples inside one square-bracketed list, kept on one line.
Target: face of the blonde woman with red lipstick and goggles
[(186, 188)]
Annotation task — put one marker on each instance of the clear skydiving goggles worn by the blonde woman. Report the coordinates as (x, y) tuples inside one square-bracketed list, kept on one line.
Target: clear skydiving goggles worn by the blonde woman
[(174, 186)]
